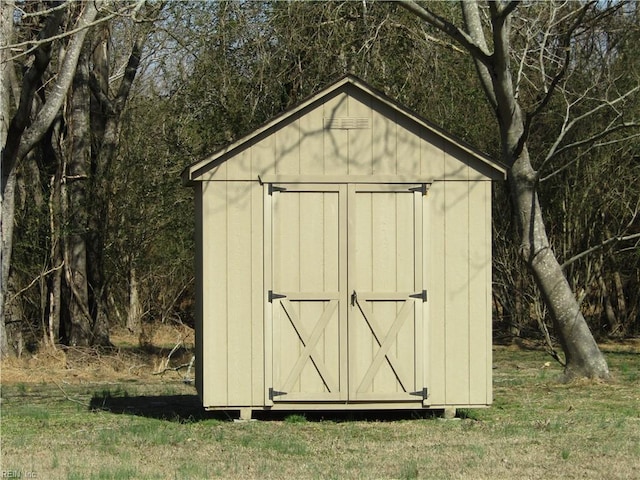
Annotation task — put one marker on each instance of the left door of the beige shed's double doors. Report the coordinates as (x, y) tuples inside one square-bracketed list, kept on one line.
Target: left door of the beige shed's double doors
[(308, 295)]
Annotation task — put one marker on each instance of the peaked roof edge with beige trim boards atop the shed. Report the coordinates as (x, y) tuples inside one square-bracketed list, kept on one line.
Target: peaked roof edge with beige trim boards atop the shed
[(192, 172)]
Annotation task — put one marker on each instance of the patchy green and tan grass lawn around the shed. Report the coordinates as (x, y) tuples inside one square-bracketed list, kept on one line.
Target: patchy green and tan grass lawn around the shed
[(139, 426)]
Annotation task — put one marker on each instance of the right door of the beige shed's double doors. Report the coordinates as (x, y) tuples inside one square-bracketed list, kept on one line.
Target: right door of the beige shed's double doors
[(385, 280)]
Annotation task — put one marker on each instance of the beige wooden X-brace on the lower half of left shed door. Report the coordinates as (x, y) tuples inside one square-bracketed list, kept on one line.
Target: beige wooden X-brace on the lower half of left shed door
[(309, 342)]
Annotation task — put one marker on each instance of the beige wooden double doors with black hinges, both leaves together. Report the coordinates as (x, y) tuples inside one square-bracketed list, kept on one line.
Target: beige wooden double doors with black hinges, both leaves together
[(345, 297)]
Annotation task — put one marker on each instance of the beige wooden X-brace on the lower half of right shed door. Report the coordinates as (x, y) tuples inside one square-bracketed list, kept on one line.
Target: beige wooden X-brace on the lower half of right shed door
[(385, 344)]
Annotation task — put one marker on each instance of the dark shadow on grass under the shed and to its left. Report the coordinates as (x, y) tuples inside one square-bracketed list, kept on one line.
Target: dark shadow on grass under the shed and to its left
[(187, 408)]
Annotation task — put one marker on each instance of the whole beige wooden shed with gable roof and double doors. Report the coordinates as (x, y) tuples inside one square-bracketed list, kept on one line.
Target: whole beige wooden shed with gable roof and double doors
[(343, 261)]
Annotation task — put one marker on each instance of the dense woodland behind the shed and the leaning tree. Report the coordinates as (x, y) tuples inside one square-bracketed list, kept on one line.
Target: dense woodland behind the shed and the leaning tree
[(104, 104)]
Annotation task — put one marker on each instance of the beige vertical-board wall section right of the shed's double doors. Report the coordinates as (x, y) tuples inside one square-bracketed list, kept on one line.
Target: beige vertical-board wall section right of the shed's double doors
[(458, 270)]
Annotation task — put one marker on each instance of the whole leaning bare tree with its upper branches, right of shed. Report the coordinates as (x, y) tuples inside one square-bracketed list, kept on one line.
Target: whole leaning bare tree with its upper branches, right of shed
[(495, 73)]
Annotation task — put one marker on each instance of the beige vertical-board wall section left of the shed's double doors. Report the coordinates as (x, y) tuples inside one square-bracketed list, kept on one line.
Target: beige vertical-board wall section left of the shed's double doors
[(232, 294)]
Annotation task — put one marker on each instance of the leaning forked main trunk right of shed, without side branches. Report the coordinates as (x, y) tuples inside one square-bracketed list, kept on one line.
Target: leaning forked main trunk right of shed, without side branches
[(582, 355)]
